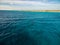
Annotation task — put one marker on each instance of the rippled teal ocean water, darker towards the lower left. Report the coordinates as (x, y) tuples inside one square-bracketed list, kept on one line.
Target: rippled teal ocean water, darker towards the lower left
[(29, 28)]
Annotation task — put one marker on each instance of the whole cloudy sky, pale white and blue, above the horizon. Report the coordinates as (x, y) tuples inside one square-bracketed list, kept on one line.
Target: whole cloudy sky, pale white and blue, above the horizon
[(30, 4)]
